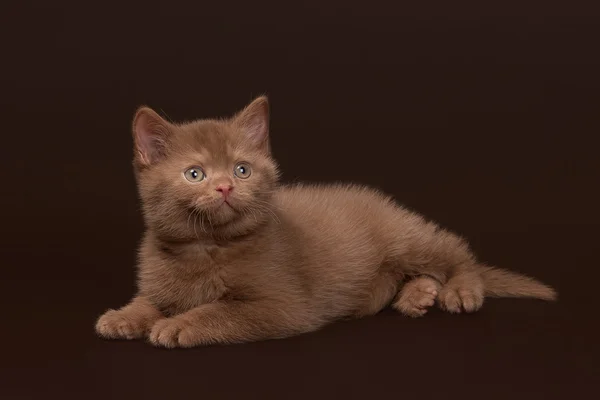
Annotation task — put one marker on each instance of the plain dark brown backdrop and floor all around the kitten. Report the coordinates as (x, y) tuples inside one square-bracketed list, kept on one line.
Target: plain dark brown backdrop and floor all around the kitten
[(482, 117)]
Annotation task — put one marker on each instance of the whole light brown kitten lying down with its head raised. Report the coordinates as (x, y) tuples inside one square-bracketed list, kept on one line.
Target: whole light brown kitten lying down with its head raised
[(231, 256)]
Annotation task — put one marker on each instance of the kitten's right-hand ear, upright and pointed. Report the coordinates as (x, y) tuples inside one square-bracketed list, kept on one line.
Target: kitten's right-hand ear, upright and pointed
[(253, 121)]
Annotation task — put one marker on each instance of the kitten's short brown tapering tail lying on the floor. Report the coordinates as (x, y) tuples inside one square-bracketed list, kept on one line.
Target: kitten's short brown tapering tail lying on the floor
[(503, 283)]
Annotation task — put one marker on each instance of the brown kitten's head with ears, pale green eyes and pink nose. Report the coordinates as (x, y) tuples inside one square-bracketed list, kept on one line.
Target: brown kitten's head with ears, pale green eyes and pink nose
[(207, 177)]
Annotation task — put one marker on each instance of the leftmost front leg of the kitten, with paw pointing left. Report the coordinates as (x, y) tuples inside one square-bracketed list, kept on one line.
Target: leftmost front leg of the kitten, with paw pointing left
[(132, 321)]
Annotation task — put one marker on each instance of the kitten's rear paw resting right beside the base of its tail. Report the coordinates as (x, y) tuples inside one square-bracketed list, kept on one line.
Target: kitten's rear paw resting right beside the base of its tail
[(463, 291)]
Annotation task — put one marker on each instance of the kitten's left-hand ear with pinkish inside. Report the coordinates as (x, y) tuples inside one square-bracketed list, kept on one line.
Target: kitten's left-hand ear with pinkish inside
[(150, 136)]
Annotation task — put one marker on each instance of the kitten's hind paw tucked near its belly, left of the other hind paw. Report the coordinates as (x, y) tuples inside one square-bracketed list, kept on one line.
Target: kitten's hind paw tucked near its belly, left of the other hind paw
[(416, 296)]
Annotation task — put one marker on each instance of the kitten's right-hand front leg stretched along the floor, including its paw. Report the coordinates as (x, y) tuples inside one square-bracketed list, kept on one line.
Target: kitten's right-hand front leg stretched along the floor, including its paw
[(230, 322)]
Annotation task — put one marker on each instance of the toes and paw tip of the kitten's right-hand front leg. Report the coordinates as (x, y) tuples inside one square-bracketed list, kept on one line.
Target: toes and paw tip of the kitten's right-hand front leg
[(174, 332)]
